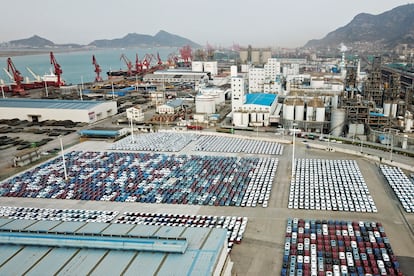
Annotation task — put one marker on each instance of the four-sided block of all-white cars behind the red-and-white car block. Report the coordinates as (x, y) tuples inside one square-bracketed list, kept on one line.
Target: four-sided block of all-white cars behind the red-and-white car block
[(332, 185)]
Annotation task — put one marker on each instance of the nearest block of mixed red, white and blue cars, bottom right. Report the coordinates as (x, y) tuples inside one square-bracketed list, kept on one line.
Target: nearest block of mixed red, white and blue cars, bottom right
[(321, 247)]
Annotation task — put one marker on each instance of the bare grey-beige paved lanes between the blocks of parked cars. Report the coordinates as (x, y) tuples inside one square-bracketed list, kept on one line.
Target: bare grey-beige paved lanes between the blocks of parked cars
[(260, 252)]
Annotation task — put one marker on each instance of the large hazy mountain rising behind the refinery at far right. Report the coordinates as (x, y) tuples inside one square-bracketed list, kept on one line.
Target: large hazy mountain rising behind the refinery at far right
[(387, 30)]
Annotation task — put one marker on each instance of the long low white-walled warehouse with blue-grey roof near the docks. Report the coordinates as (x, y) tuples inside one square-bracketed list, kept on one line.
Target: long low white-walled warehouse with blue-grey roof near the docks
[(38, 110)]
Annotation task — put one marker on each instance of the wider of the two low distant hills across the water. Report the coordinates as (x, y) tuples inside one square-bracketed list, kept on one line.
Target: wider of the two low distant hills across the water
[(162, 38)]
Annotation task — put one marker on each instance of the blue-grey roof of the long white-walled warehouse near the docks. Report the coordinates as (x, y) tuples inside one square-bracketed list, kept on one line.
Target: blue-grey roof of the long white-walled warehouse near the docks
[(50, 104)]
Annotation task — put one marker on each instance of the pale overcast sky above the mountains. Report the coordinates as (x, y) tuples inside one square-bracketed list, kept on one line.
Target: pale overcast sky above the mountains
[(260, 23)]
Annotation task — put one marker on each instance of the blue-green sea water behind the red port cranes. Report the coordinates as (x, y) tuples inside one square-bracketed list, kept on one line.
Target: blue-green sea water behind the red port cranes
[(77, 66)]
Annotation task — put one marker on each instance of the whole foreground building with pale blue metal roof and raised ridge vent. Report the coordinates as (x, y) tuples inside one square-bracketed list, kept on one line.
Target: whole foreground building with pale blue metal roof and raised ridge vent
[(85, 248)]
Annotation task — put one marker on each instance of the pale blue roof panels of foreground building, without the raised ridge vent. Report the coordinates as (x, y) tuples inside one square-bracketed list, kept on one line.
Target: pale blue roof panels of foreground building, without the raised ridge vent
[(203, 251)]
